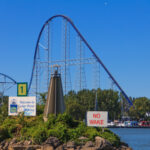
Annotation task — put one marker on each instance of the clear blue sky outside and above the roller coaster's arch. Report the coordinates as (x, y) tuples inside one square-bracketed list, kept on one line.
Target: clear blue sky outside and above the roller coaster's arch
[(117, 30)]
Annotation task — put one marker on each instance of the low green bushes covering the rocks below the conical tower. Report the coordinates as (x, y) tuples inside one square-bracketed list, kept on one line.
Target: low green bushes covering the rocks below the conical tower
[(62, 126)]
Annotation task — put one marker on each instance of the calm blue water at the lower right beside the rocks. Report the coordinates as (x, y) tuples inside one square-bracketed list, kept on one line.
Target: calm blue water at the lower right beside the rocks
[(136, 138)]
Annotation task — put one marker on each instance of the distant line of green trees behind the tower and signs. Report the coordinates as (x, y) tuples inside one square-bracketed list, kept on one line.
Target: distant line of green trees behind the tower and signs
[(77, 103)]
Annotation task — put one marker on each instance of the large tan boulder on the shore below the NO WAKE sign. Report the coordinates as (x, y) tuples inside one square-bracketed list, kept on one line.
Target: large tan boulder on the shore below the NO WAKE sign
[(102, 143)]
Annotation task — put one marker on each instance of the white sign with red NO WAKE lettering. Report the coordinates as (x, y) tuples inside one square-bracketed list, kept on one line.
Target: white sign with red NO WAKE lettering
[(97, 118)]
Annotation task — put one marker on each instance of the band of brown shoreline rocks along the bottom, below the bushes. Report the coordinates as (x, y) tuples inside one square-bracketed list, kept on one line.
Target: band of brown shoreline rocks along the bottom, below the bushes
[(52, 143)]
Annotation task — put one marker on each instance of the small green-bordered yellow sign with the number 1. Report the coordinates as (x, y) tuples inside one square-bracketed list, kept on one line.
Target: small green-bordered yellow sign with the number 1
[(22, 89)]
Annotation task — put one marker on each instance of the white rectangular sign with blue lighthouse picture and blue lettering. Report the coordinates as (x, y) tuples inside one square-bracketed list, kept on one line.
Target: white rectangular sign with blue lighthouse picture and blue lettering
[(17, 105)]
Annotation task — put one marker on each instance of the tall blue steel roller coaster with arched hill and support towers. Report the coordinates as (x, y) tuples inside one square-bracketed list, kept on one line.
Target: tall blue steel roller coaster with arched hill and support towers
[(61, 44)]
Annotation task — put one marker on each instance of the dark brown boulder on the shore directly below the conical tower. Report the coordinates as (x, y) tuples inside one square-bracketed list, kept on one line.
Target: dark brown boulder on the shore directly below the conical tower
[(53, 141)]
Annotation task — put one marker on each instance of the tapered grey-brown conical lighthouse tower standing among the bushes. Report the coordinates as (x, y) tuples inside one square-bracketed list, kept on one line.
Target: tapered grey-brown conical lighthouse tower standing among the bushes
[(55, 100)]
